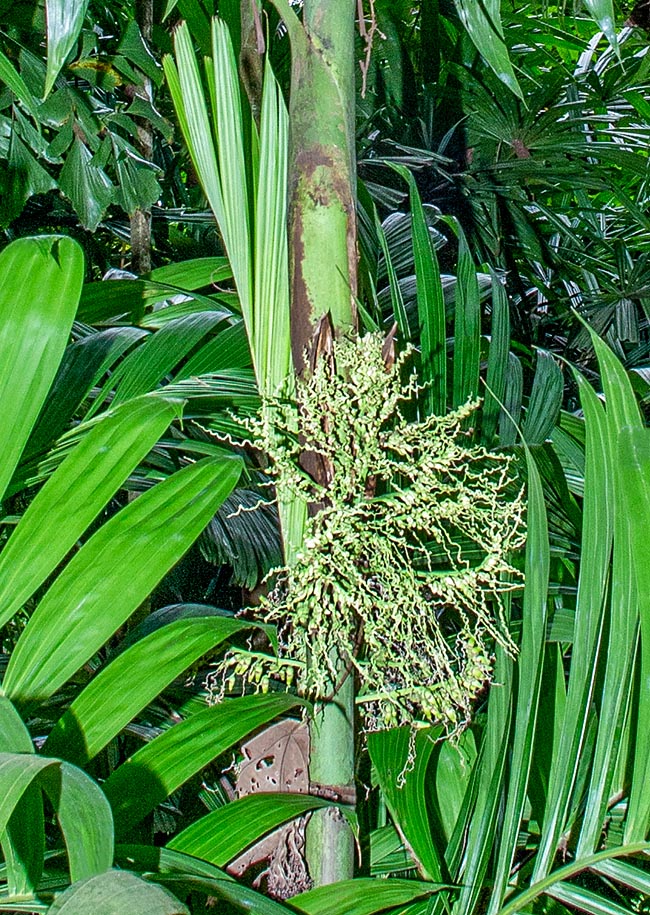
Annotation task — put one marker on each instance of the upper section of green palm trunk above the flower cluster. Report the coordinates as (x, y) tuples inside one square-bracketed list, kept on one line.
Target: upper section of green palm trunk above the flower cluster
[(322, 220)]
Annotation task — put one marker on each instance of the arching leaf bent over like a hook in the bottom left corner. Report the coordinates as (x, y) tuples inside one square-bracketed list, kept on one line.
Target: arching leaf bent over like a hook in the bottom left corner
[(82, 810)]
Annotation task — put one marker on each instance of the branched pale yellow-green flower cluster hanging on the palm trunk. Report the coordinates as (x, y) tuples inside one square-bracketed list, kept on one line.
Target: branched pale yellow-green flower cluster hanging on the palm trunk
[(403, 569)]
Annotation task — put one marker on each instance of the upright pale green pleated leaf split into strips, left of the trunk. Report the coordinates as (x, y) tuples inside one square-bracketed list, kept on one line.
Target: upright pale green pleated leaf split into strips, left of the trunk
[(247, 191)]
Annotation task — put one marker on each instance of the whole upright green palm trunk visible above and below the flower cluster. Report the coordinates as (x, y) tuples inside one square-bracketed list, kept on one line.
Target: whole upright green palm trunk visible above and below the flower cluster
[(323, 264)]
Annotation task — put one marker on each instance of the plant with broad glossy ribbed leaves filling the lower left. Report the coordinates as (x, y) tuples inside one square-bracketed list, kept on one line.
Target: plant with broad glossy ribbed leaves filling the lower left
[(75, 572)]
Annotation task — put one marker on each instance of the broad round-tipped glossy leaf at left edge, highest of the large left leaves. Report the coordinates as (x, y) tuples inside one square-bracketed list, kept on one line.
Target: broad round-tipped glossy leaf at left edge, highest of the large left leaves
[(40, 282)]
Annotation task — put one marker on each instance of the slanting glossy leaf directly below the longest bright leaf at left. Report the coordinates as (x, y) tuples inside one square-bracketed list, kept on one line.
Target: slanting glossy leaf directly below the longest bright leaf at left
[(105, 707)]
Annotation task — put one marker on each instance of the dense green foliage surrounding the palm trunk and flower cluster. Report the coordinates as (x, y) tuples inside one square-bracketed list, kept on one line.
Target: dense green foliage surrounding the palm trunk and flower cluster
[(503, 228)]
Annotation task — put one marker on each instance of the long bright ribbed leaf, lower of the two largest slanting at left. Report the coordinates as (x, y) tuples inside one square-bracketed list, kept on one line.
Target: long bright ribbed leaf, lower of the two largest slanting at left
[(88, 601)]
